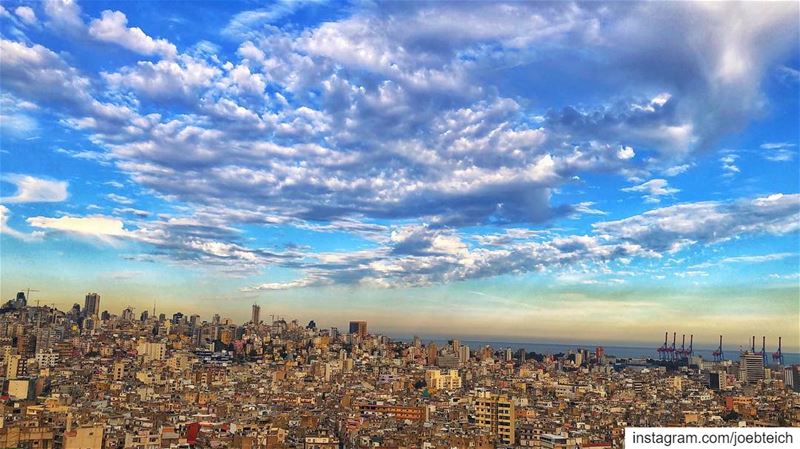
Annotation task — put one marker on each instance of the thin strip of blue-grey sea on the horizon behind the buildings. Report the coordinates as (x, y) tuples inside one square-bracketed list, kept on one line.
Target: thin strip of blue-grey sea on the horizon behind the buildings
[(634, 352)]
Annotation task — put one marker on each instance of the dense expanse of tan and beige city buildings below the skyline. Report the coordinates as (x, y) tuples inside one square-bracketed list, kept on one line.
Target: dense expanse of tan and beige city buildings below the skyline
[(85, 380)]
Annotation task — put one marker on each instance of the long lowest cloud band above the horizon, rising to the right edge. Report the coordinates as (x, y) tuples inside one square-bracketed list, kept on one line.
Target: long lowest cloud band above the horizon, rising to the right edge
[(422, 255)]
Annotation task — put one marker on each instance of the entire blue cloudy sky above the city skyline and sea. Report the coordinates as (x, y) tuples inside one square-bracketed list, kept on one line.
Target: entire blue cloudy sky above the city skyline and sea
[(589, 172)]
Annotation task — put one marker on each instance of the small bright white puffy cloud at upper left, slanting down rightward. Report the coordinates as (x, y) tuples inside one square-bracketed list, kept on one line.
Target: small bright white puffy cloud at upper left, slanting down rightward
[(112, 27)]
